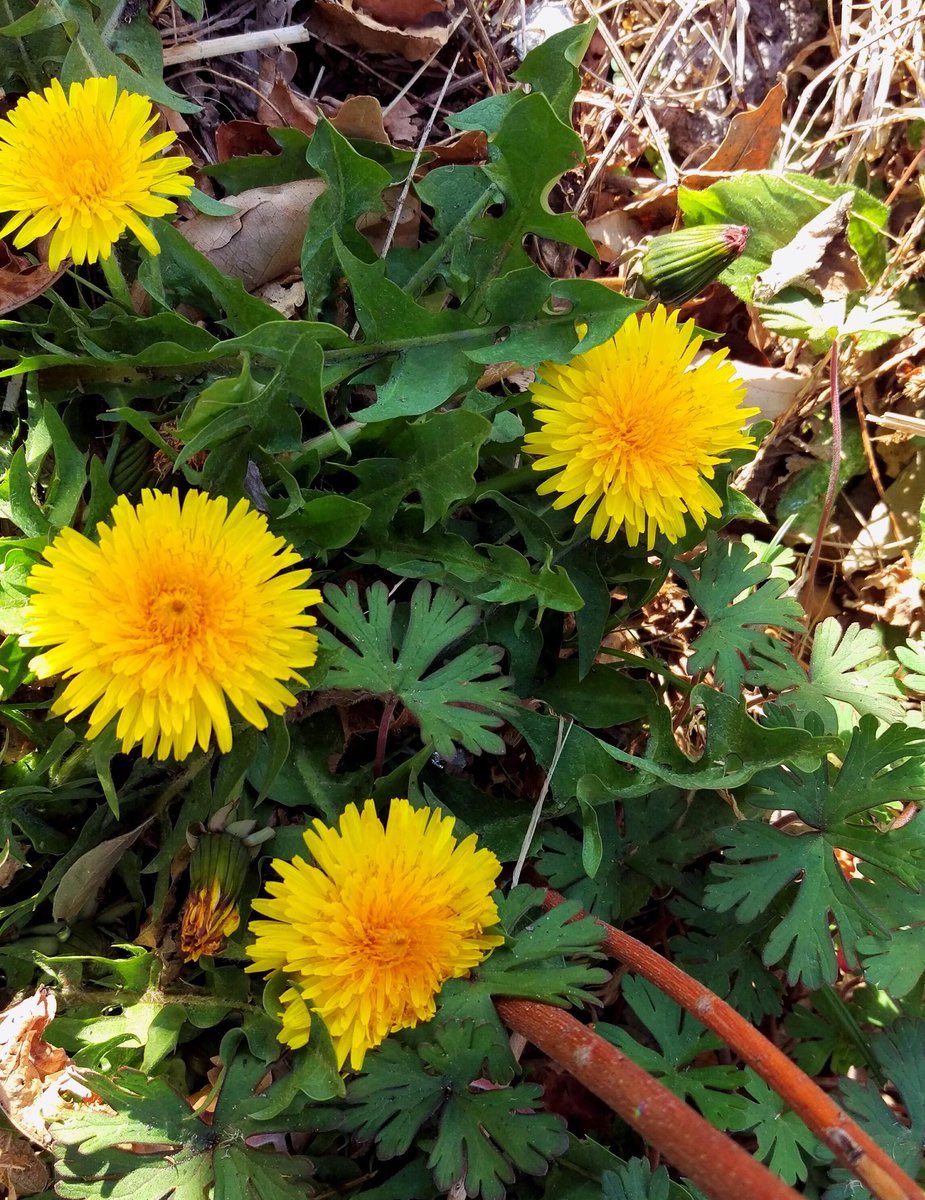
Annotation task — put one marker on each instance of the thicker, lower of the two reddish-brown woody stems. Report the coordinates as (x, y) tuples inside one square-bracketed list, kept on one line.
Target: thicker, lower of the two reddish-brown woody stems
[(712, 1160)]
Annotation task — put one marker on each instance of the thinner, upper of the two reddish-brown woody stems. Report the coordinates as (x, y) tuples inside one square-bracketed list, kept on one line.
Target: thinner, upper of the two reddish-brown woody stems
[(818, 1111)]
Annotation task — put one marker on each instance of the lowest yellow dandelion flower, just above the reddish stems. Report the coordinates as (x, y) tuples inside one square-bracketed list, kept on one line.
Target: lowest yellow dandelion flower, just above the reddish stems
[(370, 935)]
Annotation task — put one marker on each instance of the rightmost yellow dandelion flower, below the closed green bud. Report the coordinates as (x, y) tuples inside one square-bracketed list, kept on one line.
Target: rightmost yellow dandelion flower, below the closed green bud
[(635, 430)]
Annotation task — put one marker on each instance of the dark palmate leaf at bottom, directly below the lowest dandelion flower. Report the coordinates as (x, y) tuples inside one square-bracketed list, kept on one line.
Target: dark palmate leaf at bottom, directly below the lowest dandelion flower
[(485, 1137)]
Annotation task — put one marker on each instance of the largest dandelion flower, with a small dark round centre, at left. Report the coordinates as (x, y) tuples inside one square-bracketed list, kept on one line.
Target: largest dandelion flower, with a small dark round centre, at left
[(177, 610)]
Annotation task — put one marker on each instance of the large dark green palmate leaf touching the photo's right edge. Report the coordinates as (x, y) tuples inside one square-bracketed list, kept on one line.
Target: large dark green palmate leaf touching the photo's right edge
[(762, 862)]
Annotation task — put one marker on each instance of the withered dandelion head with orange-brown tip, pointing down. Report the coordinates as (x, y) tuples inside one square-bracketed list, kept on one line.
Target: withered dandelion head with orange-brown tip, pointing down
[(218, 873)]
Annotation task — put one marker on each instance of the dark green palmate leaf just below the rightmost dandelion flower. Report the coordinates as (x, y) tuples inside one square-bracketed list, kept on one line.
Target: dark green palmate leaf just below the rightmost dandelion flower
[(740, 599)]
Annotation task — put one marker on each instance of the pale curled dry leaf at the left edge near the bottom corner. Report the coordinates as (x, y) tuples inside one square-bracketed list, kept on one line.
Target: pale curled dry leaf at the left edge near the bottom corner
[(38, 1082)]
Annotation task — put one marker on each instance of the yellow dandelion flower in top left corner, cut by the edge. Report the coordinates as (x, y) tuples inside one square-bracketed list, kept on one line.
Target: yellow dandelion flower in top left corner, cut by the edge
[(80, 164)]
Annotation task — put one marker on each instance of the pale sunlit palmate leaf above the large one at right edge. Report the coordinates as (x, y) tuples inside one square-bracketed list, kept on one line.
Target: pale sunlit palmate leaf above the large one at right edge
[(849, 675)]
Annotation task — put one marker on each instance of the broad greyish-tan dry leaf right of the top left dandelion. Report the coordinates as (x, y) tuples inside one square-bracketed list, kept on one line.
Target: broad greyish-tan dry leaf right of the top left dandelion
[(263, 241)]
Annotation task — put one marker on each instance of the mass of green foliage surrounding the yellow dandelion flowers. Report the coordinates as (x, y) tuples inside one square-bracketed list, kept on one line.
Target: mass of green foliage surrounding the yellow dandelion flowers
[(658, 734)]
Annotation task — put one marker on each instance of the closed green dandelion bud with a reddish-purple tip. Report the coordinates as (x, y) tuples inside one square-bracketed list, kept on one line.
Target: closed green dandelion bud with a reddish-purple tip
[(680, 266)]
